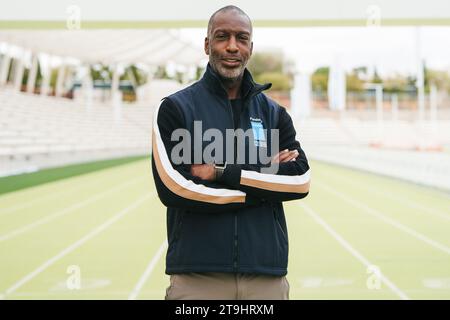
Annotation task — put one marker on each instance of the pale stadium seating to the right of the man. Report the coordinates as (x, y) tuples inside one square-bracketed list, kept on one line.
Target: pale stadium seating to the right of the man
[(408, 150)]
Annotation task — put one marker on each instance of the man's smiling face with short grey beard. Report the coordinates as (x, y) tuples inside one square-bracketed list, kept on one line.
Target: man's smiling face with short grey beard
[(229, 44)]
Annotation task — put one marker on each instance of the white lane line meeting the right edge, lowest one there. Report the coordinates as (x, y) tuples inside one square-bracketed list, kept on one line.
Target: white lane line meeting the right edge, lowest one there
[(382, 217)]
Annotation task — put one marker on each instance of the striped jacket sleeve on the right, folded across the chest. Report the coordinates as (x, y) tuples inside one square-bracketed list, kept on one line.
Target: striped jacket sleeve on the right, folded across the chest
[(290, 182)]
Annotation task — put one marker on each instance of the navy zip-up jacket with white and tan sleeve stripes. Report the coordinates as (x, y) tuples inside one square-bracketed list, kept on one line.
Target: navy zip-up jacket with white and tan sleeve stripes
[(236, 224)]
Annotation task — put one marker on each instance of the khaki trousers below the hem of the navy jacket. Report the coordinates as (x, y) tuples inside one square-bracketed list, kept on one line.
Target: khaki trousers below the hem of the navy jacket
[(227, 286)]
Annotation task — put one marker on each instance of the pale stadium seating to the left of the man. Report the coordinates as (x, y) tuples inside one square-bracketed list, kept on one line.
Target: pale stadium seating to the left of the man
[(39, 132)]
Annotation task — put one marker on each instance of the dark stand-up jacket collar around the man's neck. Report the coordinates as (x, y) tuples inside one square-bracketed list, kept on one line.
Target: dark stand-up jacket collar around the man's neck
[(249, 88)]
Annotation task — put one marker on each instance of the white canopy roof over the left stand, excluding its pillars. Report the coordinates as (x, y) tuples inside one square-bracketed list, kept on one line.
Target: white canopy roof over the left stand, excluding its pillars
[(152, 47)]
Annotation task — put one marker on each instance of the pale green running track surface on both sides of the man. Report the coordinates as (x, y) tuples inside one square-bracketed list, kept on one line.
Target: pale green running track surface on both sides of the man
[(100, 223)]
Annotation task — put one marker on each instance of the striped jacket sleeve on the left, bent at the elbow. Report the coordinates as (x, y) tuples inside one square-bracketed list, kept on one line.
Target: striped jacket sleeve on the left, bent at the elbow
[(175, 185)]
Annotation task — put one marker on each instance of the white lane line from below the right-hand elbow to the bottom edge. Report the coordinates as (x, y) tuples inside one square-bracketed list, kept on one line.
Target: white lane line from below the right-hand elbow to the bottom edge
[(352, 250)]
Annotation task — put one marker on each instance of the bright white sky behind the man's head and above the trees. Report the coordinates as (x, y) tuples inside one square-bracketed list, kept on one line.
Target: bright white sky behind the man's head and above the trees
[(390, 49)]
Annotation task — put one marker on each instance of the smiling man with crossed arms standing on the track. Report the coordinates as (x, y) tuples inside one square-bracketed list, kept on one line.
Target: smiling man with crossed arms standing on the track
[(225, 222)]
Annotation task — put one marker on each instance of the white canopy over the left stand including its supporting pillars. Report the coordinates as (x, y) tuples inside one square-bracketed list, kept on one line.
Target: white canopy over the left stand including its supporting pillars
[(117, 48)]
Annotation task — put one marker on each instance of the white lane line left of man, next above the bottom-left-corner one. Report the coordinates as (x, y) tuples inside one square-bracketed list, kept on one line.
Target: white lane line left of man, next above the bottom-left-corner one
[(65, 211)]
